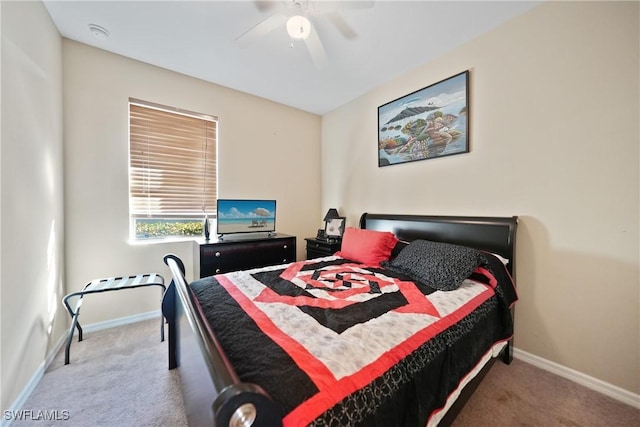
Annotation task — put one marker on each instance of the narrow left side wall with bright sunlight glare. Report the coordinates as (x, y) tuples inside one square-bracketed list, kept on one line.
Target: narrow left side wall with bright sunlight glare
[(32, 222)]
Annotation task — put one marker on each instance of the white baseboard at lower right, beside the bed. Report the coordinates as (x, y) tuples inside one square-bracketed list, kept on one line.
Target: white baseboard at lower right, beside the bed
[(592, 383)]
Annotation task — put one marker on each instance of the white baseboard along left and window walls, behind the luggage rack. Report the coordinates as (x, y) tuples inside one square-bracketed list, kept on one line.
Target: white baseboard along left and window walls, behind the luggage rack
[(35, 379)]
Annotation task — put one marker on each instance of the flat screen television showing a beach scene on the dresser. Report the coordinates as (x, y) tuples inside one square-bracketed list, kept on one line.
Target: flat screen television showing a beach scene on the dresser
[(245, 216)]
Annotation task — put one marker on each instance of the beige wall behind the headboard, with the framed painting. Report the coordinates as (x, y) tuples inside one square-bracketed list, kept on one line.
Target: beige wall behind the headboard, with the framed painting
[(554, 139)]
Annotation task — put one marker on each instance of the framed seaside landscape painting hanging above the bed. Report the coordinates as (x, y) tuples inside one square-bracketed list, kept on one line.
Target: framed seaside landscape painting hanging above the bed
[(425, 124)]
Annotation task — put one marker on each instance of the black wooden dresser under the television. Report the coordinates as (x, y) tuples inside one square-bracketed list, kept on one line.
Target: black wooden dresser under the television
[(243, 253)]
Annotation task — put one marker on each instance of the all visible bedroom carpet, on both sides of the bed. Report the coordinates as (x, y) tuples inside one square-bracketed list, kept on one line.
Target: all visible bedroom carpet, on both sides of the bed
[(119, 377)]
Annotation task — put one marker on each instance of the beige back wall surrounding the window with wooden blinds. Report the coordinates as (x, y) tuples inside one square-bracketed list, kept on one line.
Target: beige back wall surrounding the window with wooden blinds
[(266, 150)]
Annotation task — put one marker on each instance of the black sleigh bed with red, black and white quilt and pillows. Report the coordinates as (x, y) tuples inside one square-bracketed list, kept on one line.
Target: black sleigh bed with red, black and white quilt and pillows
[(349, 339)]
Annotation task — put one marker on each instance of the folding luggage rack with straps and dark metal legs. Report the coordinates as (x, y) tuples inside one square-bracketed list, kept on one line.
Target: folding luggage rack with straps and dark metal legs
[(106, 285)]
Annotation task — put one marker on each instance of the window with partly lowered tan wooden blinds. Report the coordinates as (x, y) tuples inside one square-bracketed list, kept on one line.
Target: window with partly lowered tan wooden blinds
[(172, 170)]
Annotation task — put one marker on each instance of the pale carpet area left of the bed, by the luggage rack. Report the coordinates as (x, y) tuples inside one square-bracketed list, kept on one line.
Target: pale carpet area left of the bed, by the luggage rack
[(117, 377)]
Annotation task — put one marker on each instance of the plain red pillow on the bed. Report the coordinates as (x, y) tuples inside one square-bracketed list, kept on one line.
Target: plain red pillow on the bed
[(367, 246)]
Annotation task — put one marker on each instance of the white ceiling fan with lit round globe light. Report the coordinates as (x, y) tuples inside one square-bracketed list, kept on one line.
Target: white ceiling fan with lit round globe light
[(297, 17)]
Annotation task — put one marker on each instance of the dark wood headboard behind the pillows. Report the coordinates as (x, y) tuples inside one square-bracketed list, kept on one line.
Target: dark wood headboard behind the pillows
[(491, 234)]
